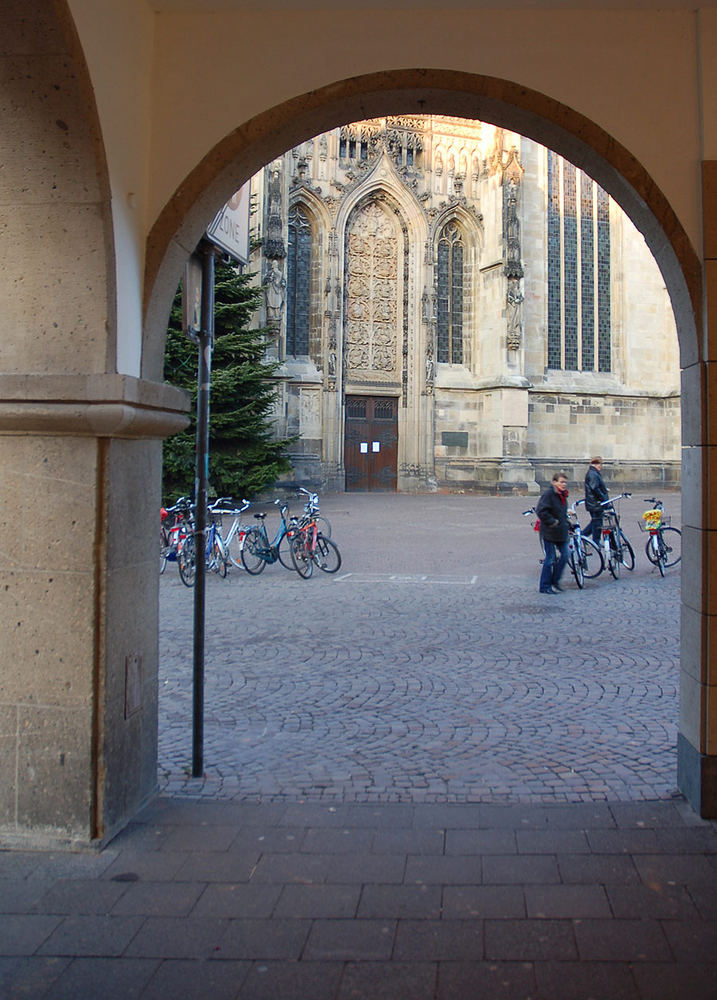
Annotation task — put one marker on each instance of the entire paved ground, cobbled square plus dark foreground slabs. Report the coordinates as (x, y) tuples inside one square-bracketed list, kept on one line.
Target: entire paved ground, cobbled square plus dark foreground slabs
[(383, 879)]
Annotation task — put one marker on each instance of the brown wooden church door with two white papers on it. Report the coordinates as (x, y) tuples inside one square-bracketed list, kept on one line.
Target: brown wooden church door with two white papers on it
[(371, 443)]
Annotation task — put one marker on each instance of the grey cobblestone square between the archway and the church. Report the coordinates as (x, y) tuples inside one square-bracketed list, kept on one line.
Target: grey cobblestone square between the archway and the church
[(429, 669)]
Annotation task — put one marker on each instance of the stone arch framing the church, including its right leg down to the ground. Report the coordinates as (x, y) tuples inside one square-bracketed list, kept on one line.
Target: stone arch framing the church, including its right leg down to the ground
[(552, 124)]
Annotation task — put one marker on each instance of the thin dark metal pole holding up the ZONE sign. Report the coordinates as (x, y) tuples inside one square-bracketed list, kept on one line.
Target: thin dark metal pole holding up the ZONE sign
[(201, 480)]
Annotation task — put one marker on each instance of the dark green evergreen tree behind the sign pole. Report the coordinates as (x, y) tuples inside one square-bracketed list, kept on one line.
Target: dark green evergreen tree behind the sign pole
[(244, 457)]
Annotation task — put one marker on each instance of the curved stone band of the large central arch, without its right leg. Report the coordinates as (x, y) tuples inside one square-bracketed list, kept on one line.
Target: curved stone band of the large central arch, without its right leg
[(417, 91)]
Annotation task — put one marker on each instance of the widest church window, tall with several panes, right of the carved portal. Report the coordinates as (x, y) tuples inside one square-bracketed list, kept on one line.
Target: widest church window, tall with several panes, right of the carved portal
[(578, 270)]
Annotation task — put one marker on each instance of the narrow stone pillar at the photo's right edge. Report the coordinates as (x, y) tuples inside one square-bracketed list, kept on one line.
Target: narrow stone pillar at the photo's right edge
[(697, 741)]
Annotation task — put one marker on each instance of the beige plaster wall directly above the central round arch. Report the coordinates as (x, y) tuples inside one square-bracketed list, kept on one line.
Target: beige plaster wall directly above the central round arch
[(608, 65)]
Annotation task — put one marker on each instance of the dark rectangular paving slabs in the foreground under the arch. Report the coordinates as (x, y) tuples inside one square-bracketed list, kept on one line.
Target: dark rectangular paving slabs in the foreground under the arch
[(318, 922)]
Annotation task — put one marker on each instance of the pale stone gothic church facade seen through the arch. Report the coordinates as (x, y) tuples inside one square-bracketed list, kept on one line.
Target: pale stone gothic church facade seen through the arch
[(455, 307)]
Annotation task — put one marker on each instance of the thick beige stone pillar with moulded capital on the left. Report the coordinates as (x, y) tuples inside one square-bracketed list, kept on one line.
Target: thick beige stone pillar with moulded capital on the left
[(79, 500)]
